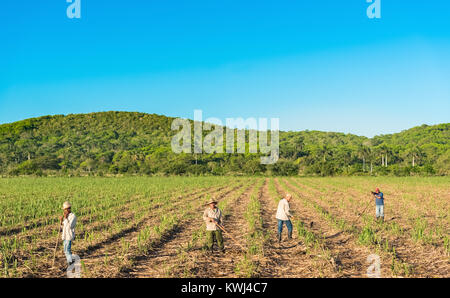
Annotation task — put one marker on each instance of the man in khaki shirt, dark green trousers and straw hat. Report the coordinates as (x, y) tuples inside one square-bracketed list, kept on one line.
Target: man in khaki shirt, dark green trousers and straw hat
[(211, 216)]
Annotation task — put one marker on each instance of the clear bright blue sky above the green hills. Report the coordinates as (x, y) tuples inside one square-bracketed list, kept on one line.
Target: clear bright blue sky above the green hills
[(318, 65)]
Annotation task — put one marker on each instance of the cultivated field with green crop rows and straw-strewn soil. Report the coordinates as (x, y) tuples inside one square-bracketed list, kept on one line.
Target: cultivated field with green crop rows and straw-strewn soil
[(152, 227)]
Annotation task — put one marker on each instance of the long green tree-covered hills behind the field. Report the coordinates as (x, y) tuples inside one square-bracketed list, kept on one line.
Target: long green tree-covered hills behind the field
[(137, 143)]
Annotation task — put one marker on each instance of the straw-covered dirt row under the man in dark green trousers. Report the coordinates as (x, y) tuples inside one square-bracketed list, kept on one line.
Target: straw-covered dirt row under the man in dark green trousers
[(175, 258)]
